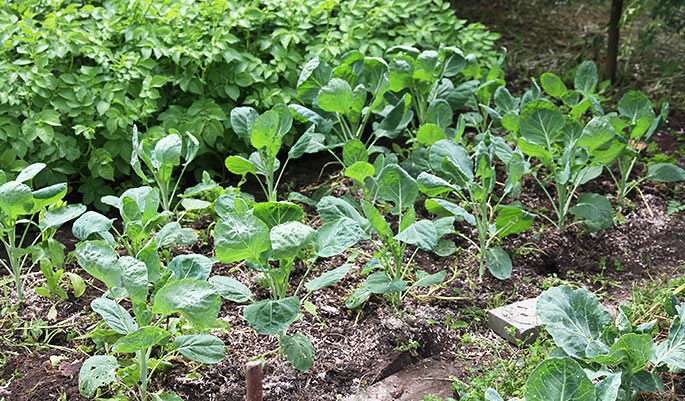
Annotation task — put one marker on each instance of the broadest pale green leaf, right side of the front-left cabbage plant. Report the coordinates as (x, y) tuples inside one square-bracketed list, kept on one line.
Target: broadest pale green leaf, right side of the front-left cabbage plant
[(197, 300)]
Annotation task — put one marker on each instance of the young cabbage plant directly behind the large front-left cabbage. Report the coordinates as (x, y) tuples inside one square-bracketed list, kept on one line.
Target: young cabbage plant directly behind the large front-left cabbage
[(143, 224)]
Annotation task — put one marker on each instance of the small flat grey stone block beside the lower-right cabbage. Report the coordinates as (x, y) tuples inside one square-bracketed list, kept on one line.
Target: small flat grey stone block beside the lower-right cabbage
[(520, 316)]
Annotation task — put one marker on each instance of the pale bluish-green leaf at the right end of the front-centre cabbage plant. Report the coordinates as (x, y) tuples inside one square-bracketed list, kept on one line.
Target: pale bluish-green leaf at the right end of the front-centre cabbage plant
[(335, 237)]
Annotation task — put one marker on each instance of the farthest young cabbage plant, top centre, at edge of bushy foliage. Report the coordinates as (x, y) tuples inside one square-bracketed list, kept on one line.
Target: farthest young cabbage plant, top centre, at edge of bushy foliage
[(429, 77)]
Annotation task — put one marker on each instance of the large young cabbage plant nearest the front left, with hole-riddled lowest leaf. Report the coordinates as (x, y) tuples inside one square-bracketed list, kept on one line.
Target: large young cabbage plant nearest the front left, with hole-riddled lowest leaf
[(155, 292)]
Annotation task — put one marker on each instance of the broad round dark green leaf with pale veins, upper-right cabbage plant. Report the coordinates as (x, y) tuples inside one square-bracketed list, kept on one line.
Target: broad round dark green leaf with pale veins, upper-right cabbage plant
[(541, 122)]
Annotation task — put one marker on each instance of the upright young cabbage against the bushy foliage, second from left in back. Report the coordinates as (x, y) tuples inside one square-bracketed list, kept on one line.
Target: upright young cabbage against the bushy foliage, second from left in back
[(265, 133)]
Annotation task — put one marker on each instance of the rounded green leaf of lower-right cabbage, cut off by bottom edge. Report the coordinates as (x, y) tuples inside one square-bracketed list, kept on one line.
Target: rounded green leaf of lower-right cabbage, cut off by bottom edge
[(559, 380)]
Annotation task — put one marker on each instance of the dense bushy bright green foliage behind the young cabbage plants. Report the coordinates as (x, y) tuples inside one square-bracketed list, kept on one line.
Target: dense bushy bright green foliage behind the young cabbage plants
[(78, 74)]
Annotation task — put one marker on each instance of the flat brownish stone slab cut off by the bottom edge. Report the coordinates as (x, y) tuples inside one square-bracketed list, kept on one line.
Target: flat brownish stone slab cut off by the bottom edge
[(430, 376)]
